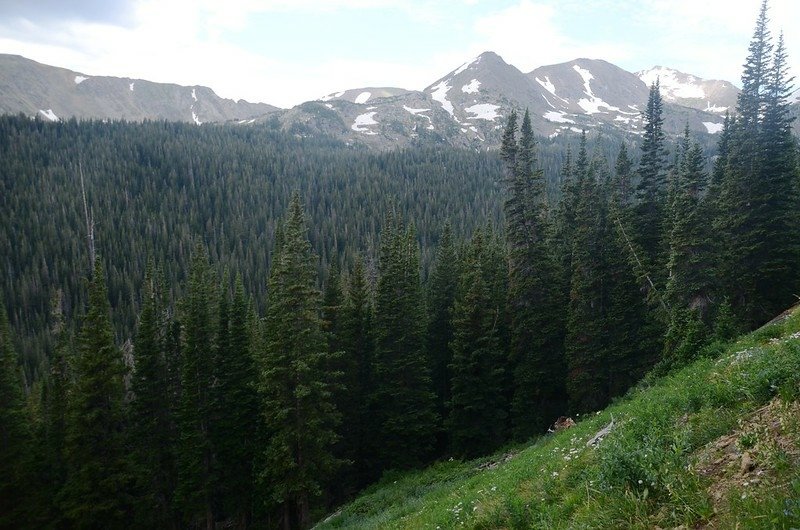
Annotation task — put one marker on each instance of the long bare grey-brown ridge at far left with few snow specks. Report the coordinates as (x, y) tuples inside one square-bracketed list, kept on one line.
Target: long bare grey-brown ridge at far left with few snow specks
[(57, 93)]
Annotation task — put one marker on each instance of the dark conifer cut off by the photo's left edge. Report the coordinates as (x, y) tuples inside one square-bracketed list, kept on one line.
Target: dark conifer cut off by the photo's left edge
[(15, 435)]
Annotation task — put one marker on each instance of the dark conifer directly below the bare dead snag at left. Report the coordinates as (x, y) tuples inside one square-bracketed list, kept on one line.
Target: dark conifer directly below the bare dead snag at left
[(97, 491)]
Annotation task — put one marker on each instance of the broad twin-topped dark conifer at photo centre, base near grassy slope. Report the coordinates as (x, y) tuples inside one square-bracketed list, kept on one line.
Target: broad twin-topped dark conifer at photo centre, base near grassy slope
[(405, 405)]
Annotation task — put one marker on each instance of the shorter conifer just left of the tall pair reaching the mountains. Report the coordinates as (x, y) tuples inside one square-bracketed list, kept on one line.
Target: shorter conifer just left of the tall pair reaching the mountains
[(477, 408)]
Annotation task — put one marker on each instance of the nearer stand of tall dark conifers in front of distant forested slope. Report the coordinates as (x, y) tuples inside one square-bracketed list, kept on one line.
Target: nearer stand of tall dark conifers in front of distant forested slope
[(266, 406)]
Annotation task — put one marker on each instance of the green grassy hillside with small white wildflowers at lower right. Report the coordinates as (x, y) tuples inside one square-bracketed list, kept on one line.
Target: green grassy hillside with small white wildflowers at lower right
[(716, 445)]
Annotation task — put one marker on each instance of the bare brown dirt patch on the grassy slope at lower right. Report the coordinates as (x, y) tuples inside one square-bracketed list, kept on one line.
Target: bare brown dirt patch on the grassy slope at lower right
[(744, 462)]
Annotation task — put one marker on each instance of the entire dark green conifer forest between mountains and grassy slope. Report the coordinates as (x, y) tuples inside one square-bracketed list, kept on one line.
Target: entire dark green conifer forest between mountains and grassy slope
[(205, 326)]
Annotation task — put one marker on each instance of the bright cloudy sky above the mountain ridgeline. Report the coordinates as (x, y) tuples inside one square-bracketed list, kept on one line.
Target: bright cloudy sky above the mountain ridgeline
[(284, 52)]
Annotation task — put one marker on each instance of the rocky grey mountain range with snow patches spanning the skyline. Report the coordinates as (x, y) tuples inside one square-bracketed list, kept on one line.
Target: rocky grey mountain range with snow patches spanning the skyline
[(466, 107)]
